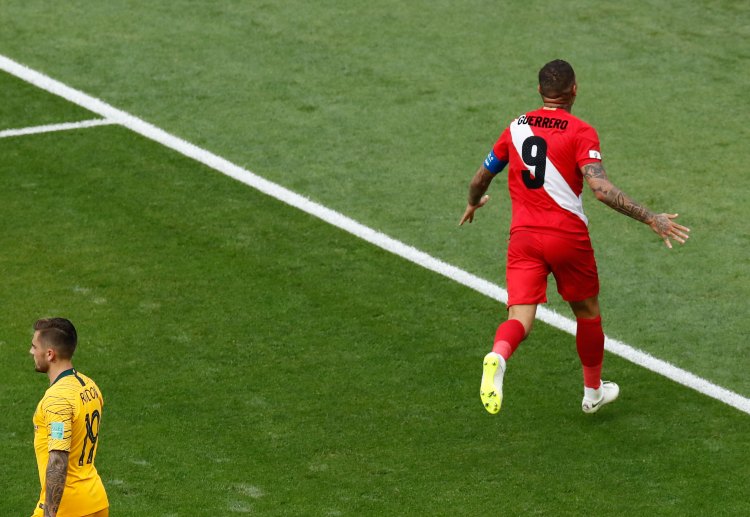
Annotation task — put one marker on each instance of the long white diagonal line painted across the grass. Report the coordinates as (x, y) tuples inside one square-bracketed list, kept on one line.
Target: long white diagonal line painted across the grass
[(351, 226)]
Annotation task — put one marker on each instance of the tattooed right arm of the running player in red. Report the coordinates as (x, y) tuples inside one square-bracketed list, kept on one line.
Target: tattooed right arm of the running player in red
[(606, 192)]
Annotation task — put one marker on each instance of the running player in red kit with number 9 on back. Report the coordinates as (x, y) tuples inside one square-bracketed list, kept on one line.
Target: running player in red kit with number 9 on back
[(550, 153)]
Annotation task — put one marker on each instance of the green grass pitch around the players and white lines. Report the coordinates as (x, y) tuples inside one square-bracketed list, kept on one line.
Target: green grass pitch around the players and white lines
[(256, 360)]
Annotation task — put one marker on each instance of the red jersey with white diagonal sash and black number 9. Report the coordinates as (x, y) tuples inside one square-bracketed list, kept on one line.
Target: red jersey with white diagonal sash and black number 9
[(546, 149)]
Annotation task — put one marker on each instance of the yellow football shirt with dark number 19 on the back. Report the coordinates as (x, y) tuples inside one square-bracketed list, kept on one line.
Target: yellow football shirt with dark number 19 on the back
[(68, 418)]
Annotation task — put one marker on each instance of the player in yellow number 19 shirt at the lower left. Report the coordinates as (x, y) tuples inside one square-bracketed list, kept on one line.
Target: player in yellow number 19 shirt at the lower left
[(66, 427)]
